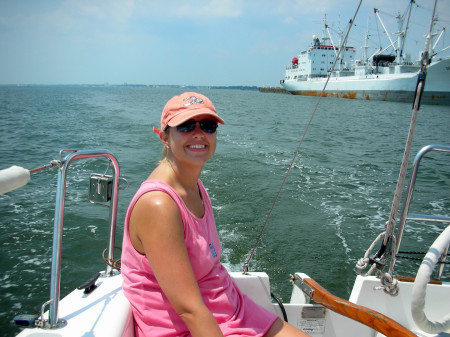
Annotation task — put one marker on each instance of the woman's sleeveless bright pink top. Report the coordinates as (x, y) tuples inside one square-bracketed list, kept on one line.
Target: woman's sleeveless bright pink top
[(154, 316)]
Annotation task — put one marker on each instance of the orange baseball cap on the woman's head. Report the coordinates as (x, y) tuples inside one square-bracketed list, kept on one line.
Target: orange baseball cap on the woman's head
[(183, 107)]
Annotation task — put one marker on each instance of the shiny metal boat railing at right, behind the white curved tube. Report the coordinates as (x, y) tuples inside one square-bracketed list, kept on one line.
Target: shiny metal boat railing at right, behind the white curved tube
[(421, 217)]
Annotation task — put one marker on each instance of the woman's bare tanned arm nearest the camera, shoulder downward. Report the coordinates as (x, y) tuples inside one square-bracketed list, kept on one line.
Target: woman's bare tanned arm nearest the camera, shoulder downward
[(156, 230)]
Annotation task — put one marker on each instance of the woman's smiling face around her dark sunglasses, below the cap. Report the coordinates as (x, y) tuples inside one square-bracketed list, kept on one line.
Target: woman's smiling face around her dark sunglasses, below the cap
[(196, 146)]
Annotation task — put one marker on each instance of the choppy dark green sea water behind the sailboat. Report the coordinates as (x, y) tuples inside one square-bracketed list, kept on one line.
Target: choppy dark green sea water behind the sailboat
[(333, 205)]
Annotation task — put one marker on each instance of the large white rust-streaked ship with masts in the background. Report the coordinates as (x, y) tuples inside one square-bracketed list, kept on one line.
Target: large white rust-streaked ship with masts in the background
[(381, 76)]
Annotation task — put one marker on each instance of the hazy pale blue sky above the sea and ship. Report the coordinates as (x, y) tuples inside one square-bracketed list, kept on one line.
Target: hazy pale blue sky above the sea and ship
[(175, 42)]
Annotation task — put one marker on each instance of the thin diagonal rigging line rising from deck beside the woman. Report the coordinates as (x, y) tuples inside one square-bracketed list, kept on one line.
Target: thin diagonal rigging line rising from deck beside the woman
[(246, 265)]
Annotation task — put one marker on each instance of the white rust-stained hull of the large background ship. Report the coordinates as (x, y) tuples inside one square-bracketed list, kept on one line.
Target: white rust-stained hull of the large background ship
[(383, 87)]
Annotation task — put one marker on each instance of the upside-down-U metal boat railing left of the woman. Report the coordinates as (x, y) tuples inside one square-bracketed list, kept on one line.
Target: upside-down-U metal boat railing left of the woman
[(63, 166)]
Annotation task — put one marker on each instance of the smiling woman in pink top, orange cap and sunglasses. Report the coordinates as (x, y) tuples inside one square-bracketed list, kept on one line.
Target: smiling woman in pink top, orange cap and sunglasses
[(171, 252)]
